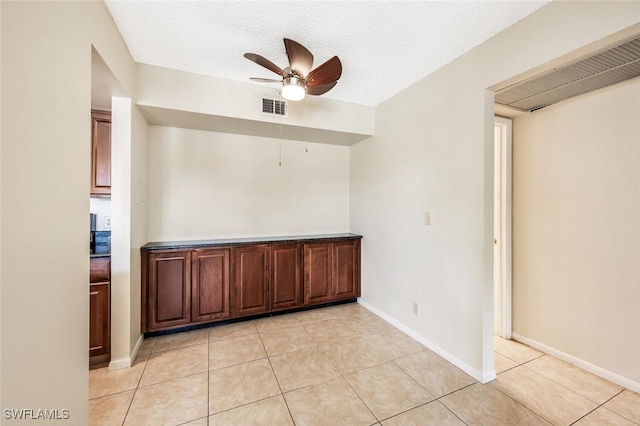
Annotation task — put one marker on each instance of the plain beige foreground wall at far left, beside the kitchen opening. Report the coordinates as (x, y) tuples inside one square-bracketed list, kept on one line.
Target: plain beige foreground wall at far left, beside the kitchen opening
[(45, 154)]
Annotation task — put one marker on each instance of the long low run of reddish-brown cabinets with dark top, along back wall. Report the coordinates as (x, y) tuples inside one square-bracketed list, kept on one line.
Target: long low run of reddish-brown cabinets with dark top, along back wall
[(186, 284)]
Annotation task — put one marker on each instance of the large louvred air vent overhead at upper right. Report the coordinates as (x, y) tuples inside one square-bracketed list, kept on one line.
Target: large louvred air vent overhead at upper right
[(602, 69)]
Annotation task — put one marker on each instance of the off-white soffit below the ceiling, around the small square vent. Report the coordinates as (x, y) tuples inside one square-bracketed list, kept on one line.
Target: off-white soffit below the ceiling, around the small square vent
[(237, 106)]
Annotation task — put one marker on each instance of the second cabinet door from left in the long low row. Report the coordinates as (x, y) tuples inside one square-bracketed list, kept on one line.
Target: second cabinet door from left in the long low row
[(210, 284)]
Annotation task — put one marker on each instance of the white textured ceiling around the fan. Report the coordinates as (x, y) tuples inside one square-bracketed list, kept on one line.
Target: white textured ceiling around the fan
[(384, 46)]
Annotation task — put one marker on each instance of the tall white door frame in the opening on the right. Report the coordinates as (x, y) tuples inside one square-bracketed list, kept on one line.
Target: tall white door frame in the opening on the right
[(502, 285)]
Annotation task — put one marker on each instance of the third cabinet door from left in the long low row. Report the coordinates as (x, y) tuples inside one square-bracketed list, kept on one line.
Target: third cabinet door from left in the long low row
[(251, 279)]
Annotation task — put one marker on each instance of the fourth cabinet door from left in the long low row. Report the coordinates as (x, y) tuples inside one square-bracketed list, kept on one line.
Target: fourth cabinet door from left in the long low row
[(285, 276)]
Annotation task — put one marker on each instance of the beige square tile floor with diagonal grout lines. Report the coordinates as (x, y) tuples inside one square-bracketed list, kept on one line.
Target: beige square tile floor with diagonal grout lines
[(342, 365)]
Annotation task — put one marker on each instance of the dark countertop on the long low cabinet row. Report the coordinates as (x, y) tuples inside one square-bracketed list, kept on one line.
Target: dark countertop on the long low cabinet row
[(240, 241)]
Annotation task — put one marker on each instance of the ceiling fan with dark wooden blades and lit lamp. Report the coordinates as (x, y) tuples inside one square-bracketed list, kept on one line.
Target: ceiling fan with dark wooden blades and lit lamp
[(298, 79)]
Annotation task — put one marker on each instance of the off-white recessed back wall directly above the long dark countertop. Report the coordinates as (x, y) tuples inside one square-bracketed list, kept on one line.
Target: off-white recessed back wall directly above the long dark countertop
[(213, 185)]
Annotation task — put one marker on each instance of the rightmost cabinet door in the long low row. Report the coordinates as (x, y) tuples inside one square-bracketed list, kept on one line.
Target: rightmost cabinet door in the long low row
[(346, 269)]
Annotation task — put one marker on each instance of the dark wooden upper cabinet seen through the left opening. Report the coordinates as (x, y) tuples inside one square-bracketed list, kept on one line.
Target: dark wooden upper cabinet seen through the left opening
[(100, 153)]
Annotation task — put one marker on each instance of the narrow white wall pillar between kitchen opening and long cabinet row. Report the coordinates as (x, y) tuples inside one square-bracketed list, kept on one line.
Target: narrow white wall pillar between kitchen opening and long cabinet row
[(129, 155)]
